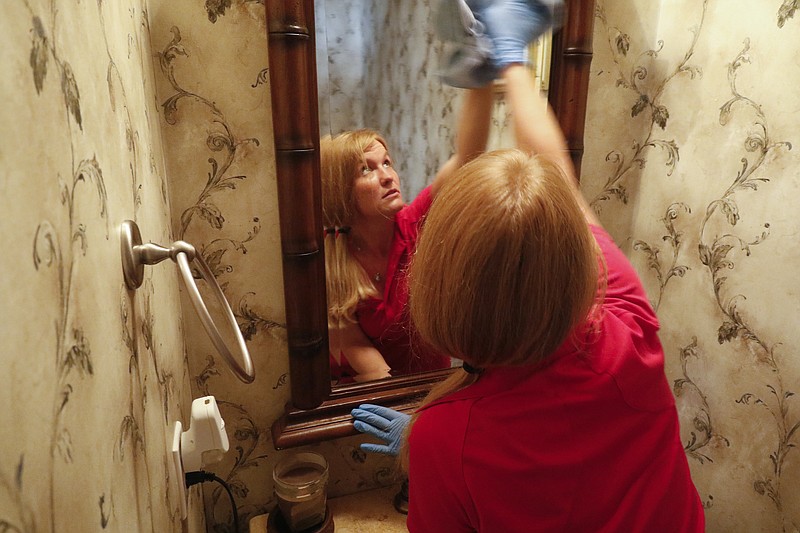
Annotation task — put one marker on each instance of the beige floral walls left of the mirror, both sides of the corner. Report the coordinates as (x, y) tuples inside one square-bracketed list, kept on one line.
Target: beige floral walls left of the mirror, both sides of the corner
[(159, 112)]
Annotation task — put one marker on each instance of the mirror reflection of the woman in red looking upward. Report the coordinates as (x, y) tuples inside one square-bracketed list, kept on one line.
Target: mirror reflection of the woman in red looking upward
[(370, 237)]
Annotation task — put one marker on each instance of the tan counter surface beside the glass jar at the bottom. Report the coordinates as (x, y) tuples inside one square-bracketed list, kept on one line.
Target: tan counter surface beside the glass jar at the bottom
[(371, 511)]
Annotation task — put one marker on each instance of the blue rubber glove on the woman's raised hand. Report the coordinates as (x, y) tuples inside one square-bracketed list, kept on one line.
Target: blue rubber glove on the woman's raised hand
[(512, 25)]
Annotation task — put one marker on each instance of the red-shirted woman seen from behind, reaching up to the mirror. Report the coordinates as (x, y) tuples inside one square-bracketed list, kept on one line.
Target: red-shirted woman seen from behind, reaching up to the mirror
[(562, 418)]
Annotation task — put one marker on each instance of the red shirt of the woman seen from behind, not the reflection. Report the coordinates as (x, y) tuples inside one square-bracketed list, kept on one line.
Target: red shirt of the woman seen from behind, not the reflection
[(590, 442)]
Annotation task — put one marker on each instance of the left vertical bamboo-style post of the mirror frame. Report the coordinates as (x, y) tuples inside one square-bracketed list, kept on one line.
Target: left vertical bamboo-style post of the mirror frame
[(295, 124)]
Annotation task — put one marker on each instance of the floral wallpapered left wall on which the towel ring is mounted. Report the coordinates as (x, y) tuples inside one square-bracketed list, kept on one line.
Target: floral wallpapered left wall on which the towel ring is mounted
[(94, 374)]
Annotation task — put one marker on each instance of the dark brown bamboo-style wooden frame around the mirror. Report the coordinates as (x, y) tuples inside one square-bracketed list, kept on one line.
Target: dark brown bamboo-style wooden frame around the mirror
[(316, 411)]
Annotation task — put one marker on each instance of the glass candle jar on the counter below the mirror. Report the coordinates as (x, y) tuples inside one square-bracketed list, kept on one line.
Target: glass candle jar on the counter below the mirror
[(301, 482)]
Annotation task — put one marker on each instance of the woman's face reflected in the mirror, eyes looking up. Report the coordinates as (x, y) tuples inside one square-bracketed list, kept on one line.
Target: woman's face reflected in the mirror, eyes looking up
[(377, 186)]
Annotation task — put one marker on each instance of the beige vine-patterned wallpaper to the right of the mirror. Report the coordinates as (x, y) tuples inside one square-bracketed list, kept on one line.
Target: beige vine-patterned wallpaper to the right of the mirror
[(691, 158)]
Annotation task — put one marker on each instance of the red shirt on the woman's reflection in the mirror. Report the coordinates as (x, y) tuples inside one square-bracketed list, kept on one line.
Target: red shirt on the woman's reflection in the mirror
[(385, 321)]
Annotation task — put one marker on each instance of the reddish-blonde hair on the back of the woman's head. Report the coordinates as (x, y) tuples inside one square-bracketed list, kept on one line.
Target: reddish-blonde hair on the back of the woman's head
[(506, 266)]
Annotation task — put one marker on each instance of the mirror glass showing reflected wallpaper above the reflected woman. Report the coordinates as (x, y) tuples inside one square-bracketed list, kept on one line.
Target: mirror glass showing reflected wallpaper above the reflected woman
[(377, 67)]
